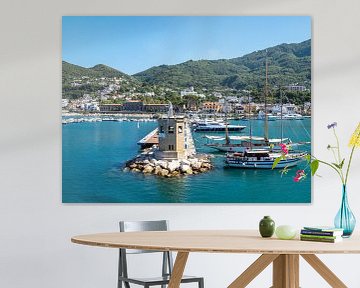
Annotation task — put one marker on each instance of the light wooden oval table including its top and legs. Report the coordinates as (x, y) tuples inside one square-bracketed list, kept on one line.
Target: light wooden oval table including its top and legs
[(284, 254)]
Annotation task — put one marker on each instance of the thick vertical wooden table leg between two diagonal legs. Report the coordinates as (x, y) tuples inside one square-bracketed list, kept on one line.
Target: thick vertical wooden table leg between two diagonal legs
[(286, 271)]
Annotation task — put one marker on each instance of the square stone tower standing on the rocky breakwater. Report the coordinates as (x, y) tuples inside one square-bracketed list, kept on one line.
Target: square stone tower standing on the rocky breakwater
[(171, 138)]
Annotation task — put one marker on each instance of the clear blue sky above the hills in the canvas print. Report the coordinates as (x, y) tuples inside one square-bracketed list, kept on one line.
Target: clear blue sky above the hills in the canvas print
[(136, 43)]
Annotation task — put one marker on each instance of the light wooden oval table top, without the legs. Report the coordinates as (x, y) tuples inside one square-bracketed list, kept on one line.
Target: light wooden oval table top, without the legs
[(217, 241)]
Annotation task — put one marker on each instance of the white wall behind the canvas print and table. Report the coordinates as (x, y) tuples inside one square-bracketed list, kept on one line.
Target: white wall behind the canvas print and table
[(35, 228)]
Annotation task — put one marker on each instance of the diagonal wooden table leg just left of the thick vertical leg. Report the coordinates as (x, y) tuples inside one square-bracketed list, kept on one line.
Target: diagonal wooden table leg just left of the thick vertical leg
[(253, 270)]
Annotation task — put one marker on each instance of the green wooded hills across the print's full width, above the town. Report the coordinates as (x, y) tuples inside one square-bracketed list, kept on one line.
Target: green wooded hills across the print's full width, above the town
[(287, 64)]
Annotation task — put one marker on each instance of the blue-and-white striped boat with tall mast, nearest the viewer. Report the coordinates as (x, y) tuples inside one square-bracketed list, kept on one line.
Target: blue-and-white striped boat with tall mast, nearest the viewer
[(262, 158)]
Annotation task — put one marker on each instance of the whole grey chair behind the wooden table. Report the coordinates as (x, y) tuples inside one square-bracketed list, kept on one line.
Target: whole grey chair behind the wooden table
[(167, 262)]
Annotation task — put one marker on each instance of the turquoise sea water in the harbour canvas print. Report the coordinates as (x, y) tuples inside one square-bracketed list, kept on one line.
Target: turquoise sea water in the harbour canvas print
[(94, 154)]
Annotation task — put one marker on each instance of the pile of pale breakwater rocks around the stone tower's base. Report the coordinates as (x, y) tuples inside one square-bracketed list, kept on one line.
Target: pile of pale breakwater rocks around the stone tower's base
[(169, 168)]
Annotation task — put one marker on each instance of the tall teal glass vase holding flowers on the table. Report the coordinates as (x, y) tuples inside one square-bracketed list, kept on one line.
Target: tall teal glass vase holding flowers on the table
[(345, 219)]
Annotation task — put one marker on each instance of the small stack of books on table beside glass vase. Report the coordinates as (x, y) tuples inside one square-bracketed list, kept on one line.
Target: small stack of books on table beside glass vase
[(321, 234)]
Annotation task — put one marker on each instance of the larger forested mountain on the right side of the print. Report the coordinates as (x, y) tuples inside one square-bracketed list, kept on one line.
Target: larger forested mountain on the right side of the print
[(288, 63)]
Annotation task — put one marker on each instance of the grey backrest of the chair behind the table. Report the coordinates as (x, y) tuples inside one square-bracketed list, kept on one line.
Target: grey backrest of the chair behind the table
[(137, 226)]
